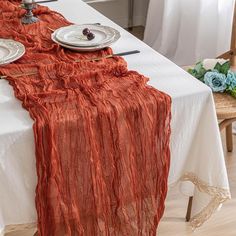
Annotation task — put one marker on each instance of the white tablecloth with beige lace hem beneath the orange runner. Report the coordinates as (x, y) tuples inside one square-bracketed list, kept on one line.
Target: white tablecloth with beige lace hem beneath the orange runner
[(196, 150)]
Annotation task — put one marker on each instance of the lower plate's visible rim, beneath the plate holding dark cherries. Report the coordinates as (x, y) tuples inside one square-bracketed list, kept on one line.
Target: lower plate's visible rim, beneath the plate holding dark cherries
[(88, 49)]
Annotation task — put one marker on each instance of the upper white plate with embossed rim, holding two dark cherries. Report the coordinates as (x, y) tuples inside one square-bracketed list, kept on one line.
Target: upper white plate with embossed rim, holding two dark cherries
[(73, 35)]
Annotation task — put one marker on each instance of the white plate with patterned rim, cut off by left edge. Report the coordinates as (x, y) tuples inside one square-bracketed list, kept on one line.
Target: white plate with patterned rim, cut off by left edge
[(10, 51)]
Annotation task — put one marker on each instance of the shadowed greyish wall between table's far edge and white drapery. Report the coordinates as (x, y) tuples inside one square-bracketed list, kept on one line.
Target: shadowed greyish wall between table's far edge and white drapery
[(117, 10)]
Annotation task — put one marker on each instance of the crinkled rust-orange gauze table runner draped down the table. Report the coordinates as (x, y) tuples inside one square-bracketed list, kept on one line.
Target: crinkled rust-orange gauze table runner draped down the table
[(101, 134)]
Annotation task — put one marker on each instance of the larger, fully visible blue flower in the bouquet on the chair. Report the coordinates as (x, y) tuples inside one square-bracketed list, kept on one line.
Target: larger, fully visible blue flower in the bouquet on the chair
[(216, 81)]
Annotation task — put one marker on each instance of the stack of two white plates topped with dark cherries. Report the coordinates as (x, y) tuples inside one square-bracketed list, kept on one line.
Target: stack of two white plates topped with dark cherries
[(72, 37)]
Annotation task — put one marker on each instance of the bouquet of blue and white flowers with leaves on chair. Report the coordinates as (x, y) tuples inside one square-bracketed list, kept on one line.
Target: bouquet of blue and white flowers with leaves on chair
[(216, 74)]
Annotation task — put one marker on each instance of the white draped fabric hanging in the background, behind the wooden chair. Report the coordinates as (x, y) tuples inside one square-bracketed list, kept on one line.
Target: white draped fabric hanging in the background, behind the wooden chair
[(186, 31)]
